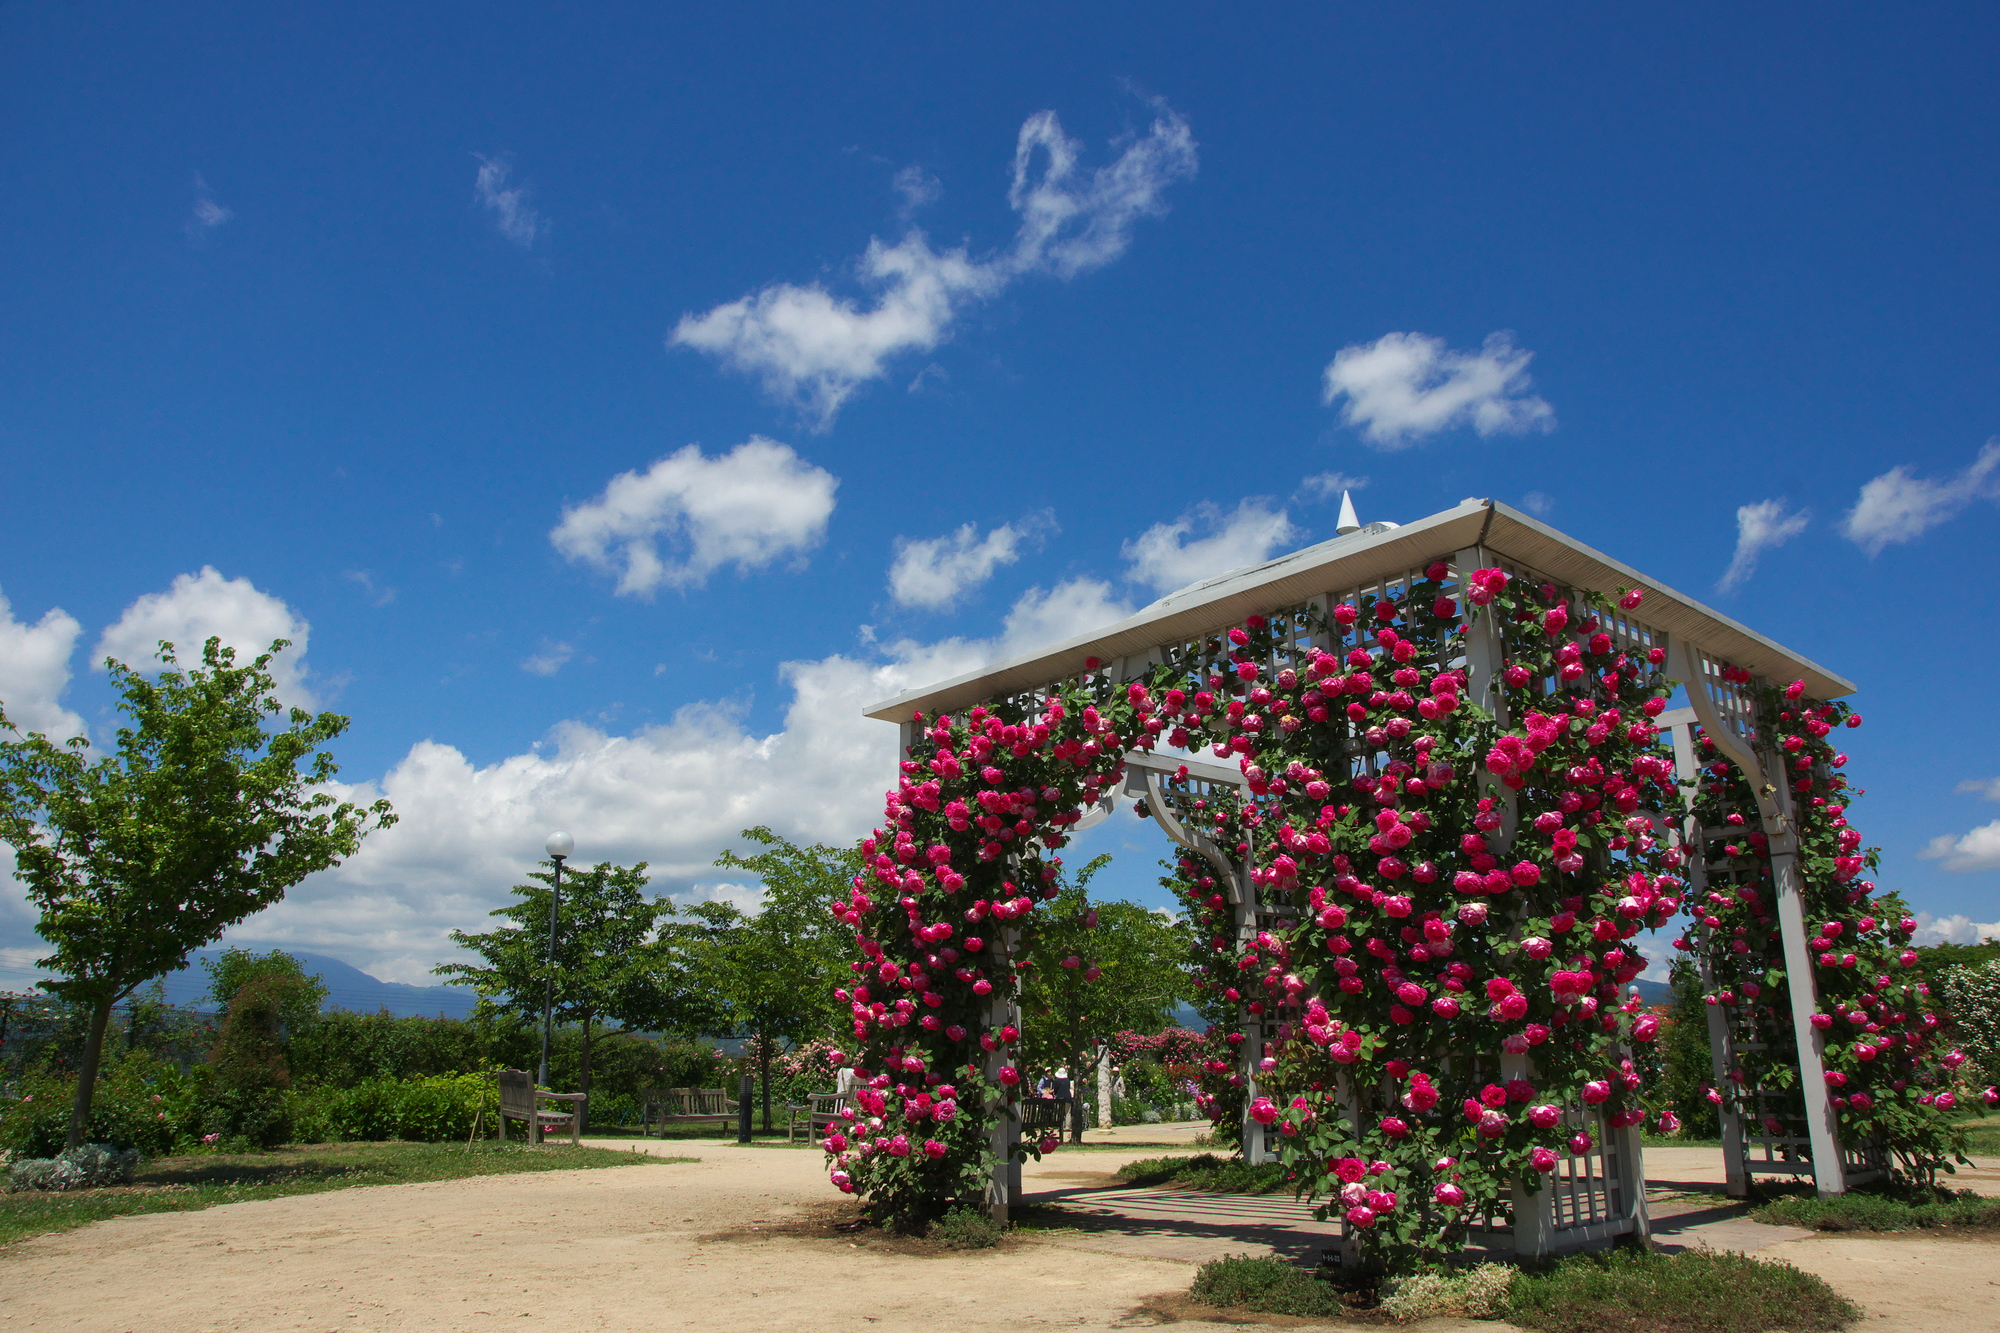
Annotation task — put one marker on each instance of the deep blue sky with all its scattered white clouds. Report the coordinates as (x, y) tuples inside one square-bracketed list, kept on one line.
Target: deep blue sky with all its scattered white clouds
[(371, 309)]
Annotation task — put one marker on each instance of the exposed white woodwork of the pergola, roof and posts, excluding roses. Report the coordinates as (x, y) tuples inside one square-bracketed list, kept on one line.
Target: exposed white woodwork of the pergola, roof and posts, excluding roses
[(1605, 1194)]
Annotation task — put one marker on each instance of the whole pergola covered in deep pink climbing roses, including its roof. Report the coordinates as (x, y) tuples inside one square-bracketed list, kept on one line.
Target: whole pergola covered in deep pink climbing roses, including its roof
[(1427, 788)]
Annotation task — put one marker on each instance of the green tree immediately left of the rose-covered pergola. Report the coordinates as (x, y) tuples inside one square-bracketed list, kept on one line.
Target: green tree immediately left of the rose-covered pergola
[(775, 972)]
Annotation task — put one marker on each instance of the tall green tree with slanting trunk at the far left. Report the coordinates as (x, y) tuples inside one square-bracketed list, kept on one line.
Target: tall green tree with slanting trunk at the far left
[(207, 812)]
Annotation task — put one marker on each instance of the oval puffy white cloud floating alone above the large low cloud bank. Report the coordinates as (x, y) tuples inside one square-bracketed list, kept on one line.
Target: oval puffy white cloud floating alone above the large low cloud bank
[(747, 507)]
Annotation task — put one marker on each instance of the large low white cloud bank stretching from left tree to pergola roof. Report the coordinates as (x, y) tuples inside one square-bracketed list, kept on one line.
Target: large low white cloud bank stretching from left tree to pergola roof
[(673, 796)]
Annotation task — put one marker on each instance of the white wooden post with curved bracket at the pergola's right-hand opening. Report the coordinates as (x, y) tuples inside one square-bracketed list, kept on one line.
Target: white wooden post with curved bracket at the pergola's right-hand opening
[(1775, 810)]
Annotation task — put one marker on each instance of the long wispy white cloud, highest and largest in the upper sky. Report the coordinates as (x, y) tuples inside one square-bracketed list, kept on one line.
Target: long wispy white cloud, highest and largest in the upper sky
[(815, 349)]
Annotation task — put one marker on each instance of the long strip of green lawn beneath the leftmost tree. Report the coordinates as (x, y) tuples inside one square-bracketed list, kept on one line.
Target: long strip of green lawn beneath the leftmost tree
[(189, 1184)]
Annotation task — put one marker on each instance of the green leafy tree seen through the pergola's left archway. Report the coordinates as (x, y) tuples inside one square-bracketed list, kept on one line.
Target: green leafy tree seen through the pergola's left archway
[(1097, 970)]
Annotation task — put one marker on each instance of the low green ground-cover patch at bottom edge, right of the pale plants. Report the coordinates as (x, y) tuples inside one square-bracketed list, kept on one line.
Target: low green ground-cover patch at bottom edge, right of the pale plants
[(1693, 1292)]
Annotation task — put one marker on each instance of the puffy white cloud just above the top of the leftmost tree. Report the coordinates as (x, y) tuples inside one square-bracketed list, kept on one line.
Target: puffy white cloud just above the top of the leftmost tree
[(201, 607)]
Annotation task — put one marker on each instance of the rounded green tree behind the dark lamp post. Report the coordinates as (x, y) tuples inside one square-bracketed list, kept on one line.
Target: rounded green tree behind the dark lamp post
[(613, 964)]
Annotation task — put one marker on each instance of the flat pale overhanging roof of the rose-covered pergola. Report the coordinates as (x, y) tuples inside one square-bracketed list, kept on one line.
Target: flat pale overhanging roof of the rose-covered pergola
[(1357, 561)]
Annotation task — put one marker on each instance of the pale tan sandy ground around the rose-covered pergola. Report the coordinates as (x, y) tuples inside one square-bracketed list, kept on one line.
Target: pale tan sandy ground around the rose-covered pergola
[(705, 1246)]
